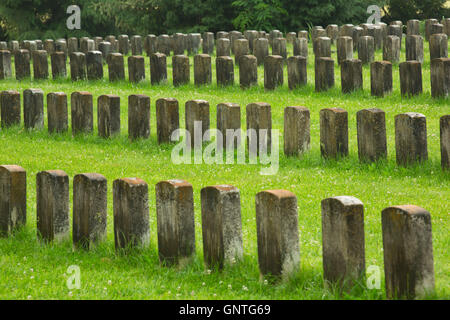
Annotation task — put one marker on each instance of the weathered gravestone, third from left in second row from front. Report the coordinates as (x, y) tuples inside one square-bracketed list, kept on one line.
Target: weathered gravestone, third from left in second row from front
[(57, 115)]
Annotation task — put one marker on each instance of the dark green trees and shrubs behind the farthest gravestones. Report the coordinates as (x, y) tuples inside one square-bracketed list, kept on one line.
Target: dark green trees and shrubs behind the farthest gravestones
[(34, 19)]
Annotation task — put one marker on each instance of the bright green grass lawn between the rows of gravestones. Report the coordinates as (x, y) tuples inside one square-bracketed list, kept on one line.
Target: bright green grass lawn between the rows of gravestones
[(32, 270)]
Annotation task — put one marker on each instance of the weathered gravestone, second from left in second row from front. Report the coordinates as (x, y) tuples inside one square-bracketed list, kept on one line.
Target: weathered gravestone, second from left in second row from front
[(33, 109)]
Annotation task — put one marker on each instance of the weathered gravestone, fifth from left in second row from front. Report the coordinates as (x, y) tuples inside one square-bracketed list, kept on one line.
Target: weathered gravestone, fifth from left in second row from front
[(108, 115)]
